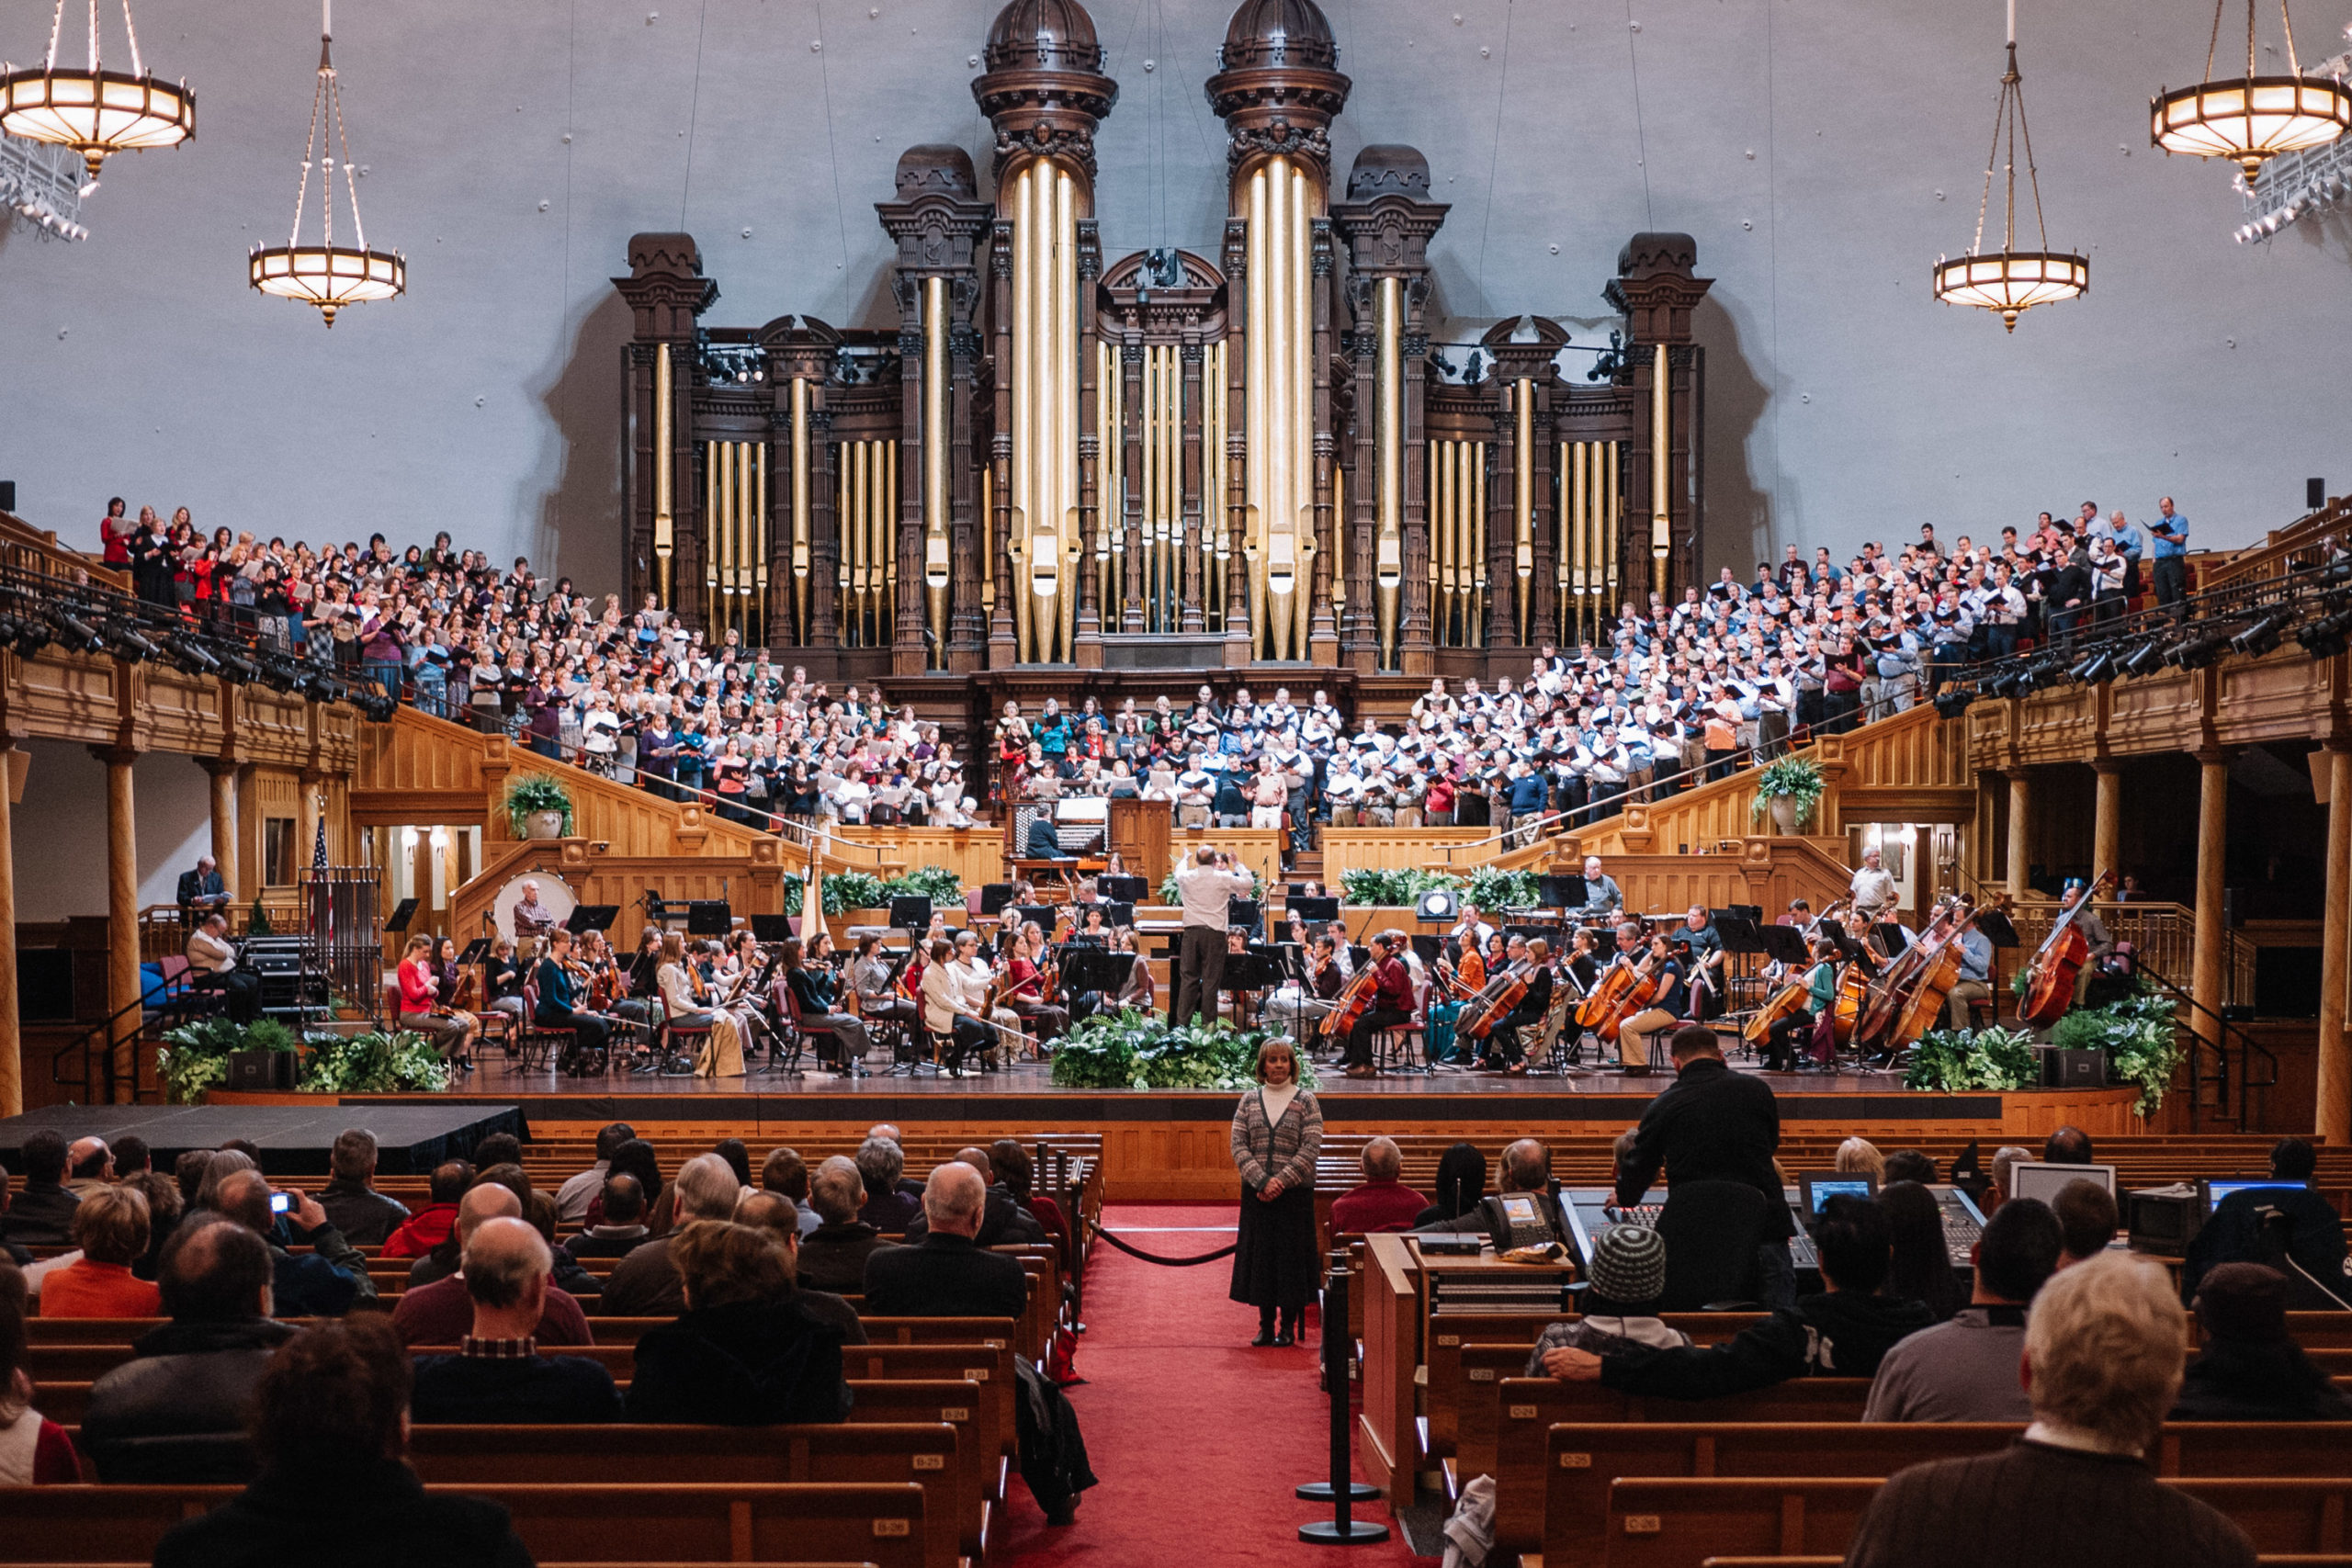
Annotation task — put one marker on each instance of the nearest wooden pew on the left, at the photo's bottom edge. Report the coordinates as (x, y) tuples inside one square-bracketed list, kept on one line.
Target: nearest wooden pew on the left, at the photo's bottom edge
[(603, 1522)]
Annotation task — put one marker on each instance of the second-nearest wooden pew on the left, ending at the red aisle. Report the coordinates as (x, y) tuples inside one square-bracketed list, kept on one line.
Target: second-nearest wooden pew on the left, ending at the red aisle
[(846, 1454)]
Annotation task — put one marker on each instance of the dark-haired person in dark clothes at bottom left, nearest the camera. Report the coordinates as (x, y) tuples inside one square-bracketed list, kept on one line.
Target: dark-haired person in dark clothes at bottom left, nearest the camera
[(330, 1433)]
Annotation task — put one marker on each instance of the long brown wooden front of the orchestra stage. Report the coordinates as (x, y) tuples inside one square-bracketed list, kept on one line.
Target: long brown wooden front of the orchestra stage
[(1175, 1144)]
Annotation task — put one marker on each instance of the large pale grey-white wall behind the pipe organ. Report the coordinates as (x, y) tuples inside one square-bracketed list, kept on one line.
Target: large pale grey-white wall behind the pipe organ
[(1847, 406)]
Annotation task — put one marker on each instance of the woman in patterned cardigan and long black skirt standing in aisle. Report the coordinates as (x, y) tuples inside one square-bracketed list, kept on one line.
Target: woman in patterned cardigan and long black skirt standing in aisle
[(1276, 1139)]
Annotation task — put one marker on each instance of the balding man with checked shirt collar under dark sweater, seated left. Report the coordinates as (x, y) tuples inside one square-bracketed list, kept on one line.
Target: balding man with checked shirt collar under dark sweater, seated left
[(497, 1372)]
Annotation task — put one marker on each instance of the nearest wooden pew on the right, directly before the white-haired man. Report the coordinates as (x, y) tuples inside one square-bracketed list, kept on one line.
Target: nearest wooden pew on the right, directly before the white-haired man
[(1681, 1525)]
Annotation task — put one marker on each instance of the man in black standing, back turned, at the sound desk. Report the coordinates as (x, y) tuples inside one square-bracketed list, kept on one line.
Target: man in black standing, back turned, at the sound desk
[(1713, 1125)]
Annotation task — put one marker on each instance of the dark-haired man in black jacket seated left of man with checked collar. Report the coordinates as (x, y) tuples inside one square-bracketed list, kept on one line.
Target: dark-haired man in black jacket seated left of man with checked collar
[(178, 1412)]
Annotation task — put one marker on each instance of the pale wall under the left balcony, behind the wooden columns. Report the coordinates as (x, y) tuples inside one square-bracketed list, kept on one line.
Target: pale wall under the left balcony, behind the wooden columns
[(60, 829)]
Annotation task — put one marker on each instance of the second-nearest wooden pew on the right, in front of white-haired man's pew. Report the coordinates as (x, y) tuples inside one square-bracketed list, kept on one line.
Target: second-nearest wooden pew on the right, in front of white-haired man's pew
[(1584, 1461)]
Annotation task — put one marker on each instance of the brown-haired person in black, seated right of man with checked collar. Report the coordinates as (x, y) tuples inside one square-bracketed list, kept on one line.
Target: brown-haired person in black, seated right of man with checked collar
[(744, 1353)]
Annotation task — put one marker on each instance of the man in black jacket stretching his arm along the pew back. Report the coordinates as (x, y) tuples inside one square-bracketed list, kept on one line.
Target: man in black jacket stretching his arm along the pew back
[(1840, 1334)]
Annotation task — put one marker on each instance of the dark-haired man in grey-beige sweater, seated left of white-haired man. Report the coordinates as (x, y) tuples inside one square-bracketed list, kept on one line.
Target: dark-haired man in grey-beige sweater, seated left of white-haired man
[(1967, 1369)]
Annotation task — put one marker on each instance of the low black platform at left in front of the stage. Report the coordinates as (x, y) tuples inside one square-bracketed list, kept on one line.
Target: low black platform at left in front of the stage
[(295, 1134)]
